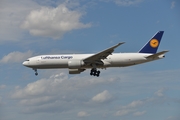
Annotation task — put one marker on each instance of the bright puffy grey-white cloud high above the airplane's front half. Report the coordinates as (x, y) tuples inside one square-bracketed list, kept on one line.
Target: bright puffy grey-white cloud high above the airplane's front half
[(53, 22)]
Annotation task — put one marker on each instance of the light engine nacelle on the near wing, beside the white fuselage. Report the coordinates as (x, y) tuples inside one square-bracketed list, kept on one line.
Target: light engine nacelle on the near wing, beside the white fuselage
[(75, 64)]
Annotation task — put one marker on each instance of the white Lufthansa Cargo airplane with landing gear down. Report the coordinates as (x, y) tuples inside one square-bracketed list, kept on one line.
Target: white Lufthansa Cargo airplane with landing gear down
[(77, 63)]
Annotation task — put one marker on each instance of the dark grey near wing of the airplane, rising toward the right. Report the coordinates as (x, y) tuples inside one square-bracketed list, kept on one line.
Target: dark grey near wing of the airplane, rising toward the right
[(96, 58)]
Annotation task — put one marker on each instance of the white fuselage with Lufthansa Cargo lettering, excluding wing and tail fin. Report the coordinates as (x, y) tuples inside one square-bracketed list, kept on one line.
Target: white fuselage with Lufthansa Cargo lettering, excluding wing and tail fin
[(64, 61)]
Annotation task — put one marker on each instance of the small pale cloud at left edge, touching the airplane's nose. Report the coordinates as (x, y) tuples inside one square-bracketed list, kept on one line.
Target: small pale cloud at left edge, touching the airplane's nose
[(16, 57)]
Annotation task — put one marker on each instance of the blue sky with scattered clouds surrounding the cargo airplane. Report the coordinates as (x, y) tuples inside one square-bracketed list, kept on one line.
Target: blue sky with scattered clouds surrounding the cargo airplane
[(34, 27)]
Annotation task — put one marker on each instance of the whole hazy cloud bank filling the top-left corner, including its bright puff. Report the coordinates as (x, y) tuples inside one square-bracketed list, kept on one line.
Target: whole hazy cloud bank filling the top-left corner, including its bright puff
[(39, 18)]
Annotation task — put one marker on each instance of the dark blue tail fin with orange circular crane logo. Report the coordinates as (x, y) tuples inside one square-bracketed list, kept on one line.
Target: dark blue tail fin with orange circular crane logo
[(152, 45)]
